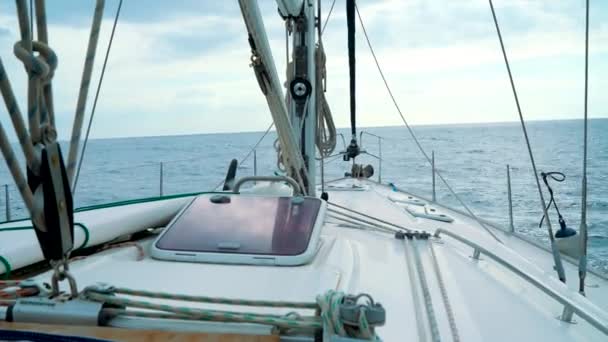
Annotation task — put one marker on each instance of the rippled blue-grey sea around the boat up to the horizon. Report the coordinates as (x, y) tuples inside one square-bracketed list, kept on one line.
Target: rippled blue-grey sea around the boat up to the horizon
[(471, 157)]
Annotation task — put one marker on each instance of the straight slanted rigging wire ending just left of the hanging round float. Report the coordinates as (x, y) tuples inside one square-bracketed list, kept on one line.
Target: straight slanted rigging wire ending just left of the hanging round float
[(556, 256)]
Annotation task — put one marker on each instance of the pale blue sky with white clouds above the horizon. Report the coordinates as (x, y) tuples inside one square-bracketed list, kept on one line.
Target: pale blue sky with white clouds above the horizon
[(182, 67)]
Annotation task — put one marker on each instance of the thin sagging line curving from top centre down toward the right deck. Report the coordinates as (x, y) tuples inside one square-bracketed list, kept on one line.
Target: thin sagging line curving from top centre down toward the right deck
[(411, 131)]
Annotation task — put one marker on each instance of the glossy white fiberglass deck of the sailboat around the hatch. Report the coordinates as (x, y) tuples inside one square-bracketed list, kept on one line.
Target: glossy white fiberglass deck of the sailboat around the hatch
[(487, 301)]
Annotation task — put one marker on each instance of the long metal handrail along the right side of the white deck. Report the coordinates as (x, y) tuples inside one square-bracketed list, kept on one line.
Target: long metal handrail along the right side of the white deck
[(600, 323)]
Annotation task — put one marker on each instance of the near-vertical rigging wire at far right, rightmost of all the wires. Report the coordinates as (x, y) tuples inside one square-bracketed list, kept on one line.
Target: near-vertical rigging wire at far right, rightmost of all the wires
[(582, 264)]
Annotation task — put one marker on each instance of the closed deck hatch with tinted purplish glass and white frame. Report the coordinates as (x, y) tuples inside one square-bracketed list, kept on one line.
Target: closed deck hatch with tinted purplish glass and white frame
[(233, 228)]
